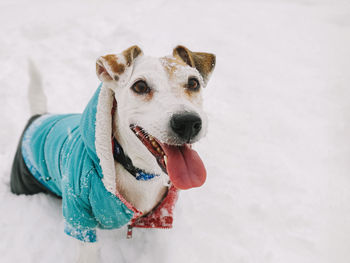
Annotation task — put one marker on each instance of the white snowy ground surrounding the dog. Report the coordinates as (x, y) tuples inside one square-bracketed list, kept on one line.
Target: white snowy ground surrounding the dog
[(277, 151)]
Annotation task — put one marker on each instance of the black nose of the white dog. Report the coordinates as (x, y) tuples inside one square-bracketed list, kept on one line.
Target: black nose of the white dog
[(186, 125)]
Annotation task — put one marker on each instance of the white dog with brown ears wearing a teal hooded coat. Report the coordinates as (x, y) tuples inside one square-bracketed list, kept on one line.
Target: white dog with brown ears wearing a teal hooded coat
[(125, 158)]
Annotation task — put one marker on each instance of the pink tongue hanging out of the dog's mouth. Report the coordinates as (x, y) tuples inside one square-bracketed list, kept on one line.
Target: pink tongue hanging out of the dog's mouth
[(184, 166)]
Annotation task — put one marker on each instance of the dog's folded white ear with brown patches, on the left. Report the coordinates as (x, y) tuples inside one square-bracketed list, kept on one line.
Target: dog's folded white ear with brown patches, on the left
[(111, 67)]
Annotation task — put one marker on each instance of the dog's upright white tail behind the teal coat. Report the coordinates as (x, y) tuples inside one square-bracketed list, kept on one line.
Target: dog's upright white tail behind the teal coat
[(36, 96)]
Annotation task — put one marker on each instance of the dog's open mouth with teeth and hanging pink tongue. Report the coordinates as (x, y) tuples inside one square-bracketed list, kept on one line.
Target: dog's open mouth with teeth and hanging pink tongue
[(183, 165)]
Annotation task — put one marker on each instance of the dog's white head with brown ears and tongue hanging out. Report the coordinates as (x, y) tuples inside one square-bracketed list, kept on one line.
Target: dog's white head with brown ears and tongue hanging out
[(159, 109)]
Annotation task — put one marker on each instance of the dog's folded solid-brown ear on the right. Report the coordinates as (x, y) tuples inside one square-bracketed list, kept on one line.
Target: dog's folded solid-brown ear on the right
[(203, 62)]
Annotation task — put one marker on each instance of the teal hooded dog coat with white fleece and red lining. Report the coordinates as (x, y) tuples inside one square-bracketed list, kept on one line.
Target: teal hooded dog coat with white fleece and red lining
[(71, 155)]
